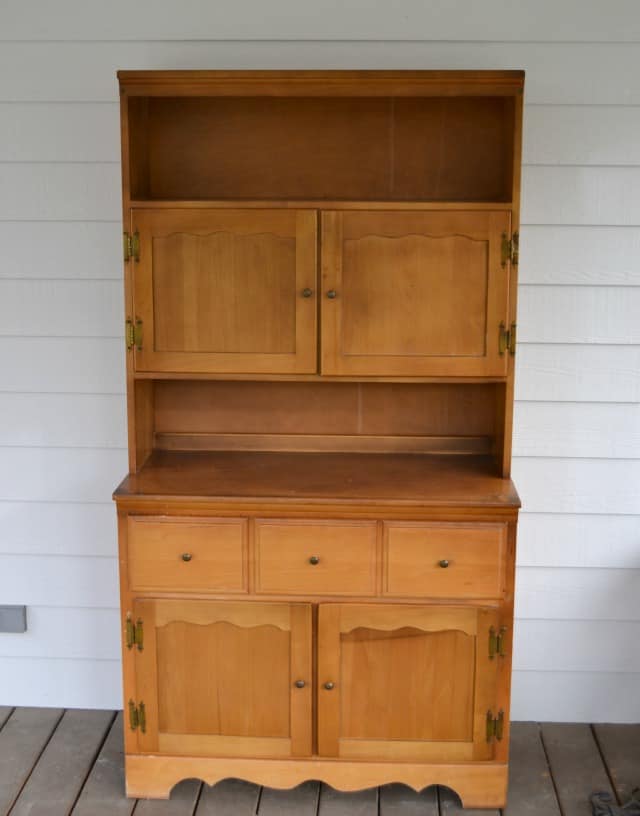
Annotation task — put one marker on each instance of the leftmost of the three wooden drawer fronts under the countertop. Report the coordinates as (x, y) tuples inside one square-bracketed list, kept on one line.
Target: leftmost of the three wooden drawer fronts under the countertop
[(197, 555)]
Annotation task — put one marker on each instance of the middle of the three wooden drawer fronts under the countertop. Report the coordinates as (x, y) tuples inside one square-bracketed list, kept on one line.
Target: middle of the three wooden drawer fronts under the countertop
[(316, 557)]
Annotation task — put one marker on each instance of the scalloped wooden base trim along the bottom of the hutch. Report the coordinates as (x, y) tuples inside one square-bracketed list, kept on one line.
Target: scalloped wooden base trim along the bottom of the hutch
[(478, 784)]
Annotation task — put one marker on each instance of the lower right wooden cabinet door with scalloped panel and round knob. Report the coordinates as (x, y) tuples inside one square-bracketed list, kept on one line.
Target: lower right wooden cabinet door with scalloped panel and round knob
[(404, 682)]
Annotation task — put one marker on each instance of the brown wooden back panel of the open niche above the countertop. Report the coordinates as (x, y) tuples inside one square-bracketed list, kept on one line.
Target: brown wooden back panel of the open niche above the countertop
[(328, 416)]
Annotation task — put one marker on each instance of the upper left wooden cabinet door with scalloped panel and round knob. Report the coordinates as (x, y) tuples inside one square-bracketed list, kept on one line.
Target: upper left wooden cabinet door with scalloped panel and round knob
[(225, 291)]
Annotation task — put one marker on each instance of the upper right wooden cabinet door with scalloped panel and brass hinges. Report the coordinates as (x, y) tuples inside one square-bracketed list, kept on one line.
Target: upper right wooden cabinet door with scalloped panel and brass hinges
[(414, 294)]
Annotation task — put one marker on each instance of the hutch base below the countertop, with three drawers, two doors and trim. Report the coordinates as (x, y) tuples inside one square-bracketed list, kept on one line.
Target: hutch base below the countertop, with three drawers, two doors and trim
[(274, 682)]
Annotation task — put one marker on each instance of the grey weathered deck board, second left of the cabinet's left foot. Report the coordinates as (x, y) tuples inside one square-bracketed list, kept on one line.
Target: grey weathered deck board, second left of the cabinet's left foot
[(65, 763)]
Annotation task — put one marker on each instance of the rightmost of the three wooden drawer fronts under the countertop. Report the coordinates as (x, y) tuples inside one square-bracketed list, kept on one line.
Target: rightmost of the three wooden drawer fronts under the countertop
[(444, 560)]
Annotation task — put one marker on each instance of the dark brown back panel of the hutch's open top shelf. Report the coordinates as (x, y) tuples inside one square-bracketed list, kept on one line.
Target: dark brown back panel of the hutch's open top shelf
[(378, 148)]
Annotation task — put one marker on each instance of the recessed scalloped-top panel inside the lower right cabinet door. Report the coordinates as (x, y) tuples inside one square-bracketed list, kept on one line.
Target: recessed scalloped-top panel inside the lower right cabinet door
[(407, 684)]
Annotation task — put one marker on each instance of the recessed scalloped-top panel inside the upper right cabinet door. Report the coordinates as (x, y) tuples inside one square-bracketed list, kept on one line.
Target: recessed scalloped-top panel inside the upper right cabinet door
[(415, 295)]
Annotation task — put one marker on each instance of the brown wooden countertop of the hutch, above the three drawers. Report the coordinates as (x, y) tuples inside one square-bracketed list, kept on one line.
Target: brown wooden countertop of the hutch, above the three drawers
[(415, 479)]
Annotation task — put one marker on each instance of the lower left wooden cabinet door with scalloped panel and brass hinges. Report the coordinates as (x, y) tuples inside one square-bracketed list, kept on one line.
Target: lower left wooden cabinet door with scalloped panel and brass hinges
[(223, 678)]
